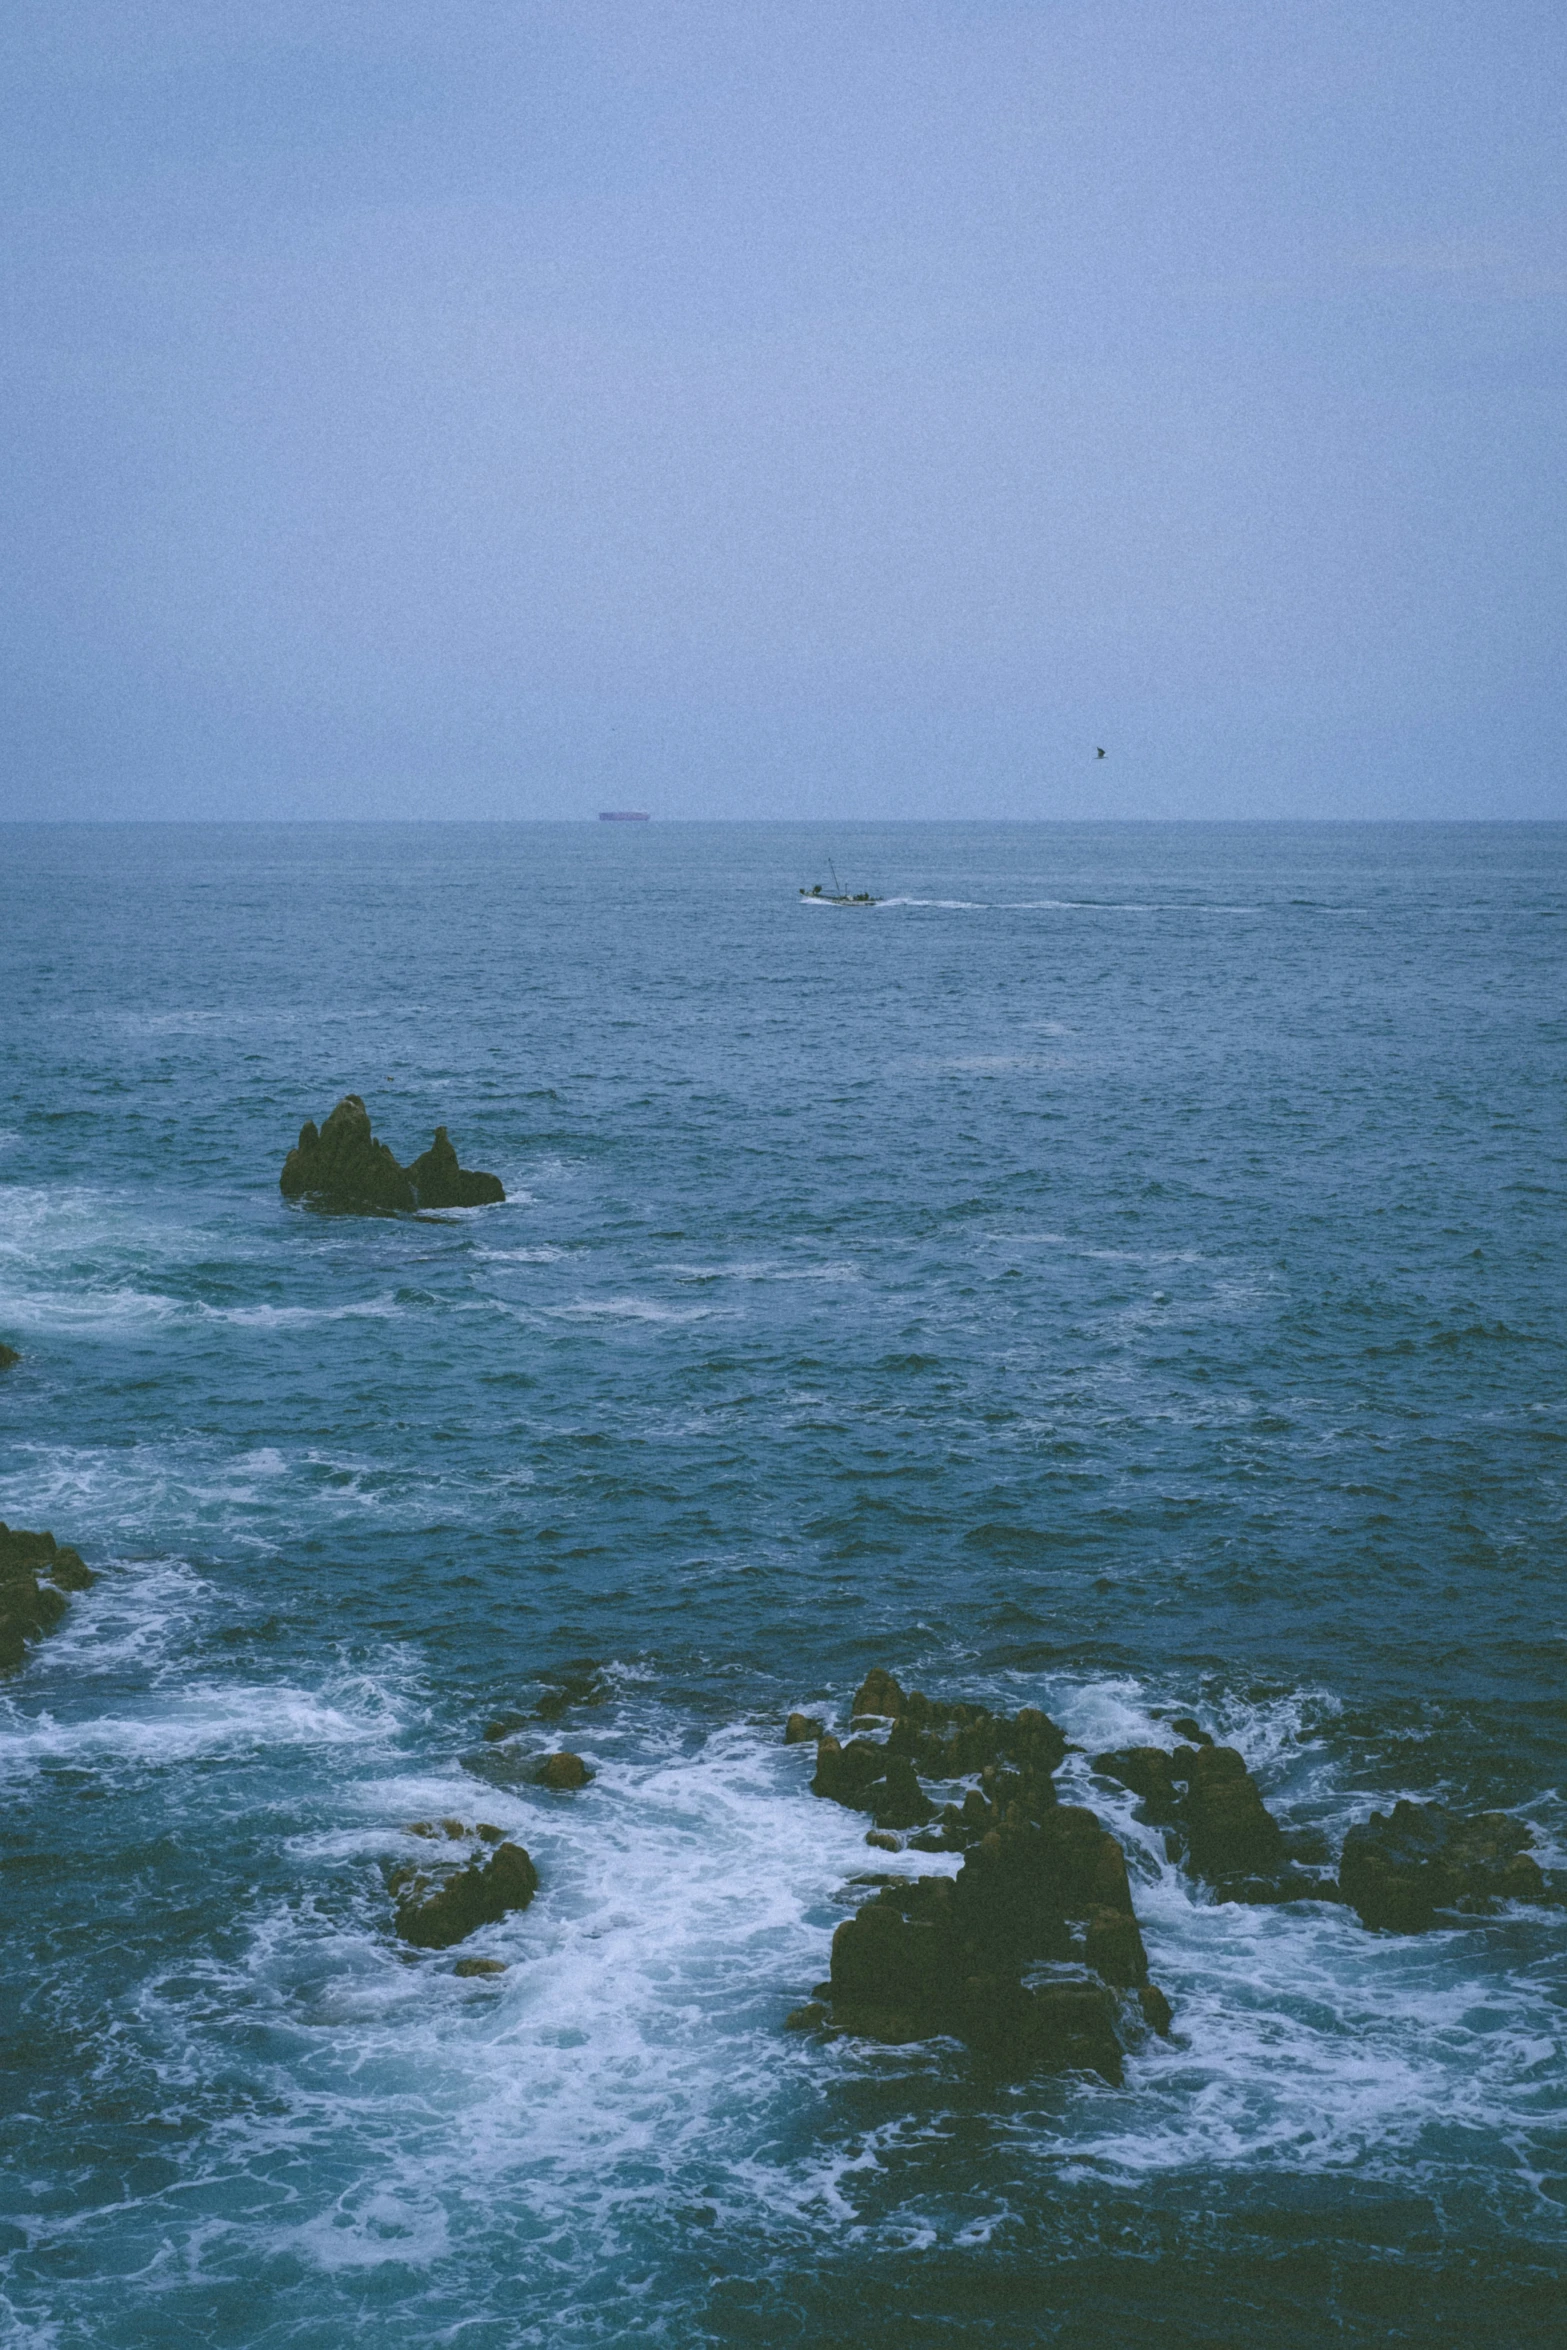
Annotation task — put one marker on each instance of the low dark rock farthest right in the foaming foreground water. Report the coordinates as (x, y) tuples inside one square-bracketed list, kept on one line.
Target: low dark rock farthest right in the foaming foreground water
[(1401, 1867)]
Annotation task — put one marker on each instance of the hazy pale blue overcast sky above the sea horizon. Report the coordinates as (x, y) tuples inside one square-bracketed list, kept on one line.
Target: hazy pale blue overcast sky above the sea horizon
[(765, 408)]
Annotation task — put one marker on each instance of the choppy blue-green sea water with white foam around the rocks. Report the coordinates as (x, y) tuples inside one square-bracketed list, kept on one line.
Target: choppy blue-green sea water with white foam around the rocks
[(1119, 1273)]
